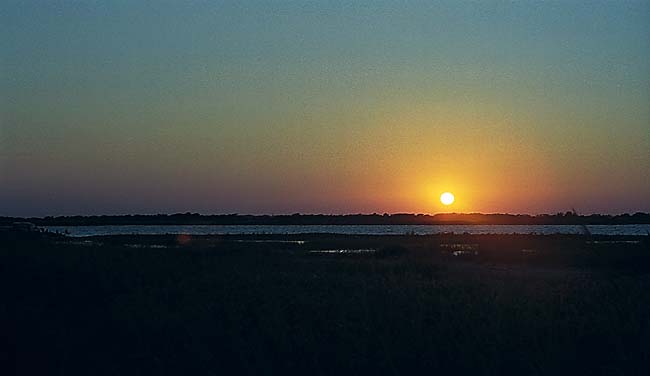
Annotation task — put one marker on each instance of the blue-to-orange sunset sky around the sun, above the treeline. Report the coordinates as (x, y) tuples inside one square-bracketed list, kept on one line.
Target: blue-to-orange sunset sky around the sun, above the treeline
[(118, 107)]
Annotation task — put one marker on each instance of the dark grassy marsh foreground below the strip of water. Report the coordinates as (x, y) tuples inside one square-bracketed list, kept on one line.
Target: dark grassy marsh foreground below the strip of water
[(484, 305)]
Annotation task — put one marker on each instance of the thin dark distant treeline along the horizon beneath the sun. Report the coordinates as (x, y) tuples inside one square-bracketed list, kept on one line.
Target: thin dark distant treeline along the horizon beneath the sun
[(350, 219)]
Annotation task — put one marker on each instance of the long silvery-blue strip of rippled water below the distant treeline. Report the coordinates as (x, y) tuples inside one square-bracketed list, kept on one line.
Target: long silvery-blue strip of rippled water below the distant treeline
[(348, 229)]
